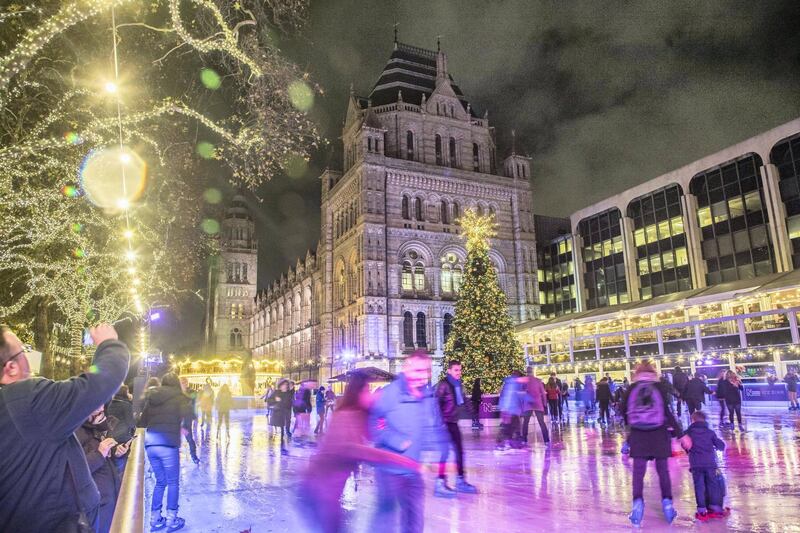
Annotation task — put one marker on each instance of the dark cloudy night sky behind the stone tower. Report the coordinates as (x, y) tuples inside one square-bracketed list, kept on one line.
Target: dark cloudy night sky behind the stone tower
[(602, 96)]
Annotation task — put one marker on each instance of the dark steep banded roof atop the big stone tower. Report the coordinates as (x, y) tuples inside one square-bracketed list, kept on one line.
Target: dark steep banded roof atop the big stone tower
[(411, 70)]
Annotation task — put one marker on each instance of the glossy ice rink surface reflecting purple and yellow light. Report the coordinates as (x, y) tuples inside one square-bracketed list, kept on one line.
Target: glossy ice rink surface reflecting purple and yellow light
[(243, 482)]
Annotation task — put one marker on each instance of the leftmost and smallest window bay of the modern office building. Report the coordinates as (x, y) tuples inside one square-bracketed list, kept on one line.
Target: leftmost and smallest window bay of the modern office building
[(557, 279)]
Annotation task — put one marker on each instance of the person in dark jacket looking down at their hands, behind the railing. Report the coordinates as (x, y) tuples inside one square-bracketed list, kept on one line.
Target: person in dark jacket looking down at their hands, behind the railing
[(102, 450)]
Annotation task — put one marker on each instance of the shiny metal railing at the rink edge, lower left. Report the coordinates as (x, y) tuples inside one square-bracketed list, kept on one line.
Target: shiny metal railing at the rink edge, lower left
[(129, 512)]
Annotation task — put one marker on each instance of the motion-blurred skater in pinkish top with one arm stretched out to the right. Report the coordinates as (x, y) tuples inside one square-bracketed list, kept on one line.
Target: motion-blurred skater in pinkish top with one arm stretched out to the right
[(341, 450)]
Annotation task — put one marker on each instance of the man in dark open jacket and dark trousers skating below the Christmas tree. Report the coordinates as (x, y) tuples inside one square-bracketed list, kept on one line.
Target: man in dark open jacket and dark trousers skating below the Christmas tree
[(450, 395)]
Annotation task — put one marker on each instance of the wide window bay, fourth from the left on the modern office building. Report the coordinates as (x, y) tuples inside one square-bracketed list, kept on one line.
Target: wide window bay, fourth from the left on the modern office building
[(732, 216)]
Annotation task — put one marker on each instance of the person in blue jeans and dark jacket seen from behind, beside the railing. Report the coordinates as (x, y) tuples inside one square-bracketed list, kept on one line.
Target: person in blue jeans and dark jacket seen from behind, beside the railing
[(166, 411)]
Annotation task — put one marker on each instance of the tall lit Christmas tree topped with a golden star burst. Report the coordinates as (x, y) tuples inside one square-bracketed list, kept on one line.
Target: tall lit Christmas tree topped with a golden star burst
[(482, 337)]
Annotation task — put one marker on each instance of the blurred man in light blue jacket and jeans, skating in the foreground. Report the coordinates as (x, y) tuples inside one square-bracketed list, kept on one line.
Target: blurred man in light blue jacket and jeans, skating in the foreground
[(406, 420)]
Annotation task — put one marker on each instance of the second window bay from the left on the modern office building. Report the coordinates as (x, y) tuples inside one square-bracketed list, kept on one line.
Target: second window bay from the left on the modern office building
[(603, 259)]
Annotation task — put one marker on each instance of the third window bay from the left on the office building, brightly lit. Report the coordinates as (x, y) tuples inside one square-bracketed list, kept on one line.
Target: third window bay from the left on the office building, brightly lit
[(660, 240)]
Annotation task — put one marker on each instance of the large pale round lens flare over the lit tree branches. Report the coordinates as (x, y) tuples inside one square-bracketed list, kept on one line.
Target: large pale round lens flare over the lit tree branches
[(113, 178)]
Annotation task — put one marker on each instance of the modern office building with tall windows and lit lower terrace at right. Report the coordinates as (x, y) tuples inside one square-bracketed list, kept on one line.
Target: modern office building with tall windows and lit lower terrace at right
[(695, 267)]
